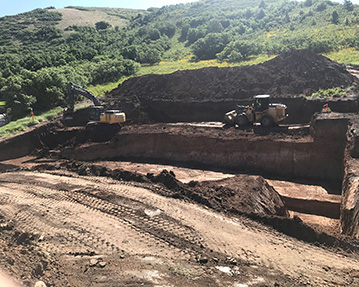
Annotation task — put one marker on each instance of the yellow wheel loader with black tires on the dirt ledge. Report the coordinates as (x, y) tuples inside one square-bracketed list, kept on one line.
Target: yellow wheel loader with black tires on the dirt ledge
[(260, 111)]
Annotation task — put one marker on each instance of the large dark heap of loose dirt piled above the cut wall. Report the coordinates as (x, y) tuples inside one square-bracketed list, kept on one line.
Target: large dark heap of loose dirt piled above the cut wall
[(290, 74)]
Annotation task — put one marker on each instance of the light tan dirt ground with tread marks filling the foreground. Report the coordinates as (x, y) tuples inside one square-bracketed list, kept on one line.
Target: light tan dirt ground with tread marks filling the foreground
[(90, 230)]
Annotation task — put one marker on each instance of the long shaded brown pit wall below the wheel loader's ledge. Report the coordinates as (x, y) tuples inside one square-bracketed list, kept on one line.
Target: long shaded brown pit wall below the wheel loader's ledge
[(260, 155)]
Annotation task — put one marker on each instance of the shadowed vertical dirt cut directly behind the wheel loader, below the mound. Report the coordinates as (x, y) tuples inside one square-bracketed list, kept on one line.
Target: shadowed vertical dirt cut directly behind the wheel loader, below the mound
[(300, 110)]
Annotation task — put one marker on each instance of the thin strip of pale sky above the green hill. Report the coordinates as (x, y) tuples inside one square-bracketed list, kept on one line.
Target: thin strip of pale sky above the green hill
[(12, 7)]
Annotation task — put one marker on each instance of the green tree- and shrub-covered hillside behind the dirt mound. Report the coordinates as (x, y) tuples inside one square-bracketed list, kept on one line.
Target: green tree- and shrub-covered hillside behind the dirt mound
[(37, 59)]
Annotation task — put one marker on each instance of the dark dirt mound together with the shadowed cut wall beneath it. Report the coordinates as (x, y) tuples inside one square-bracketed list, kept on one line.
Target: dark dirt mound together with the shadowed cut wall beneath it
[(206, 94)]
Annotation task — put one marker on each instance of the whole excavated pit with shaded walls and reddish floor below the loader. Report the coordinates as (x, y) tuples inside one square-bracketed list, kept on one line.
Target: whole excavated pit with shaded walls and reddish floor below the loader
[(286, 156)]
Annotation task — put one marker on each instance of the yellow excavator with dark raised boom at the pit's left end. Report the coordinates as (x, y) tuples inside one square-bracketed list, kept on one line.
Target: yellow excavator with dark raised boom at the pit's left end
[(102, 123)]
